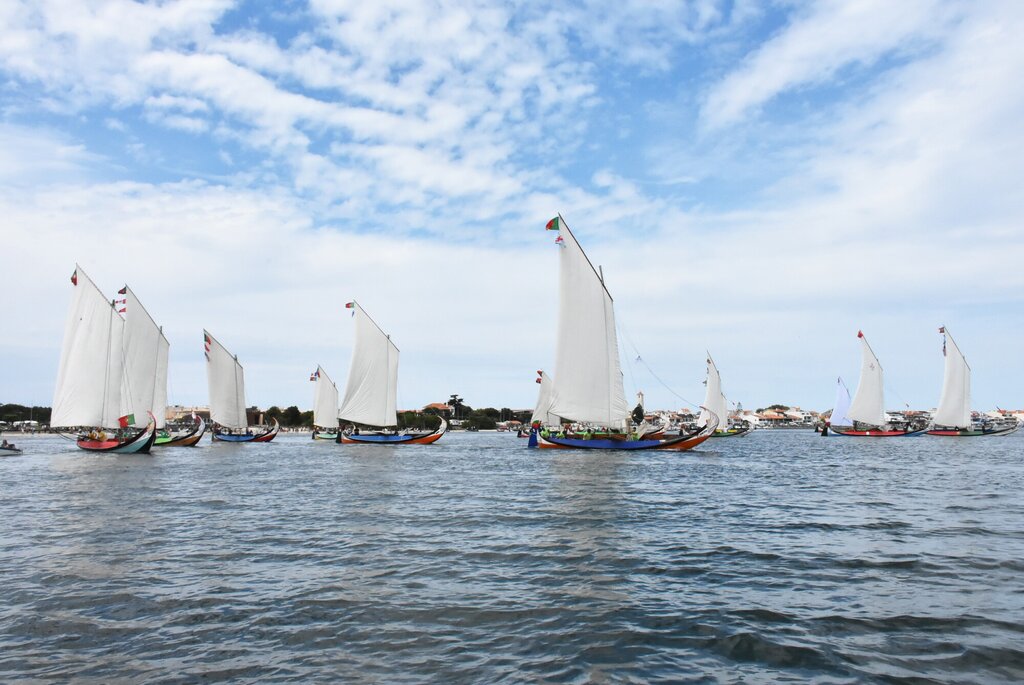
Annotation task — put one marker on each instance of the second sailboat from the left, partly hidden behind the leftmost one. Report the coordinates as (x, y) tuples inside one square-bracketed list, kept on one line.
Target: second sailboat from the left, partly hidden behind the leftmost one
[(146, 358)]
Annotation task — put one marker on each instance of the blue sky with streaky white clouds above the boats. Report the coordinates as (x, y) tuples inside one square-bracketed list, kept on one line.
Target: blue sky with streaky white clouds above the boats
[(759, 181)]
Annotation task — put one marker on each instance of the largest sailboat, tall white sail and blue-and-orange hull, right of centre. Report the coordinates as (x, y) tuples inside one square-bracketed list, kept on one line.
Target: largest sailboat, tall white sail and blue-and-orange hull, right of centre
[(587, 388)]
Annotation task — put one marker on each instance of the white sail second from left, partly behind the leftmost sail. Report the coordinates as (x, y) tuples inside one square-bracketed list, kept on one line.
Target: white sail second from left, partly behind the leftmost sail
[(146, 352)]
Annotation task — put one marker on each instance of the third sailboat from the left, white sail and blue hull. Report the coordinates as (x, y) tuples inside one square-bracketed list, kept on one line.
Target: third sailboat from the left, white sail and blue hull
[(228, 398)]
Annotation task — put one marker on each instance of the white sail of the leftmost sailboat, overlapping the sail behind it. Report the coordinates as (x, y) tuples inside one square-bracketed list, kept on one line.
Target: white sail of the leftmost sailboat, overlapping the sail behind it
[(89, 388)]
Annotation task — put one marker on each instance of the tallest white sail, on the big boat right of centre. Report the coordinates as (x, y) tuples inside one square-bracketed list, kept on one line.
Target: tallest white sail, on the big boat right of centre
[(588, 383)]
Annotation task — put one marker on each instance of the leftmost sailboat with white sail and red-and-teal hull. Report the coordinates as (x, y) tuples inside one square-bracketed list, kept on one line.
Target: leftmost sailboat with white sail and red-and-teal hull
[(93, 393)]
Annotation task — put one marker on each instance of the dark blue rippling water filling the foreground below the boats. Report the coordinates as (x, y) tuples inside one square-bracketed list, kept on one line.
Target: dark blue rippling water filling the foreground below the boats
[(778, 558)]
